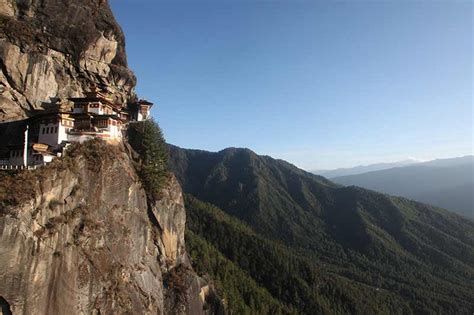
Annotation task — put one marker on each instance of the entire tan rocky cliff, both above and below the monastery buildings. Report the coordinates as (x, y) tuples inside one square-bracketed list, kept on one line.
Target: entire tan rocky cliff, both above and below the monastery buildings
[(80, 235)]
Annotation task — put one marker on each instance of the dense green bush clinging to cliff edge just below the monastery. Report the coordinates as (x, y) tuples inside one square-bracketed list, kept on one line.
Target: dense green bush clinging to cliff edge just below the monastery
[(147, 140)]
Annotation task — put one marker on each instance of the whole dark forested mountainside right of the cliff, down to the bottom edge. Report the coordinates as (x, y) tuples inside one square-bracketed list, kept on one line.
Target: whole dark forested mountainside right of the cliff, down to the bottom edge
[(277, 239)]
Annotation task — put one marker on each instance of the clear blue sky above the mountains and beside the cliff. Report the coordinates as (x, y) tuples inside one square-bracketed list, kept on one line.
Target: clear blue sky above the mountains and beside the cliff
[(322, 84)]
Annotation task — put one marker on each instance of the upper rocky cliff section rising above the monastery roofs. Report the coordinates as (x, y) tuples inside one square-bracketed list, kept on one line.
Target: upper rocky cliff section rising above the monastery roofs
[(58, 48)]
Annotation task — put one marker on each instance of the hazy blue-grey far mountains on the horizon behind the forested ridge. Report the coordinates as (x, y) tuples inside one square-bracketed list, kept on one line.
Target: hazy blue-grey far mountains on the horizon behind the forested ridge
[(446, 183)]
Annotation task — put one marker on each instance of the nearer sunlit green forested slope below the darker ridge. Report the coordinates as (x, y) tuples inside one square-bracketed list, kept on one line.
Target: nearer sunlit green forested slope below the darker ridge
[(300, 284)]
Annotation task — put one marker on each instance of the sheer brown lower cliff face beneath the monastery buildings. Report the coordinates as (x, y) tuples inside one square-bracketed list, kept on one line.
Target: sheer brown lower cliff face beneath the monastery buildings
[(86, 239)]
